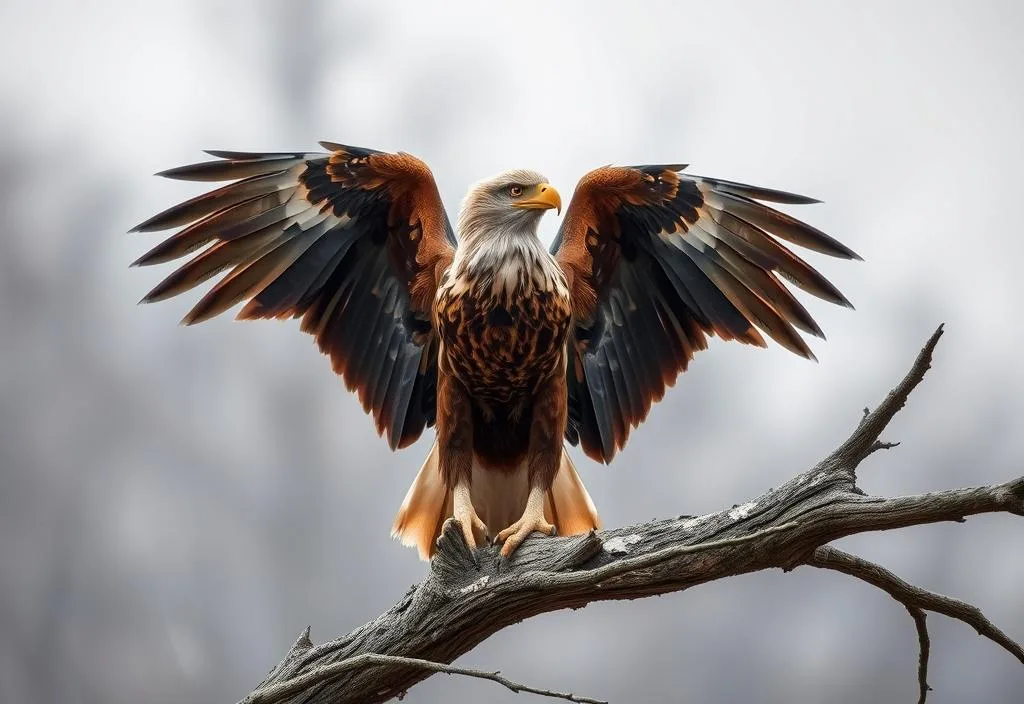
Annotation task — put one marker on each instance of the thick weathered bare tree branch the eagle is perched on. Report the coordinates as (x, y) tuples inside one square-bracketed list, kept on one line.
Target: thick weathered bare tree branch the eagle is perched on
[(470, 597)]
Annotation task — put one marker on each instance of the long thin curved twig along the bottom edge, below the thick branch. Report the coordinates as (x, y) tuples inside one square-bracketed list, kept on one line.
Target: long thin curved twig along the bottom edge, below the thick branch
[(325, 674)]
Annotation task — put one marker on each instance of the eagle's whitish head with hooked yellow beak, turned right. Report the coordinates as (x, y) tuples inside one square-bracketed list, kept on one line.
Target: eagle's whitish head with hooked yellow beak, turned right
[(510, 203)]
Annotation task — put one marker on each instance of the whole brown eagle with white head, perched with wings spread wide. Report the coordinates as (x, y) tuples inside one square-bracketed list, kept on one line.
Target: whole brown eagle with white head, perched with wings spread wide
[(507, 349)]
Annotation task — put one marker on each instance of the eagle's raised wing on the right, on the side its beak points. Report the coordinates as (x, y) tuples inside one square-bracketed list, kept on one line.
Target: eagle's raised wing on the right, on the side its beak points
[(657, 261)]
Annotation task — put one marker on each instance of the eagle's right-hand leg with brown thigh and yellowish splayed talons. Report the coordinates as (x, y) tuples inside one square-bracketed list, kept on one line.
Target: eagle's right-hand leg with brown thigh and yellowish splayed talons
[(543, 461)]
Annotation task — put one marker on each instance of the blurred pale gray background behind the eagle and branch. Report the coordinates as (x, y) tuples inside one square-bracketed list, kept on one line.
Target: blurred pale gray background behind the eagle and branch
[(178, 504)]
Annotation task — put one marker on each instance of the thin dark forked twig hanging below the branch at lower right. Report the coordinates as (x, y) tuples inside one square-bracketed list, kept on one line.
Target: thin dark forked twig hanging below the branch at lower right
[(917, 602)]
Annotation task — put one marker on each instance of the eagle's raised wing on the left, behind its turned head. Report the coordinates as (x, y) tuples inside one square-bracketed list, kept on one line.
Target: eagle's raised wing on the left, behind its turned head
[(355, 242)]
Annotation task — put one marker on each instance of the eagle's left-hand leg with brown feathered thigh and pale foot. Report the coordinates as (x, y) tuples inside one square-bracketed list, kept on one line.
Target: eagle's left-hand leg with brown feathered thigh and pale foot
[(455, 454)]
